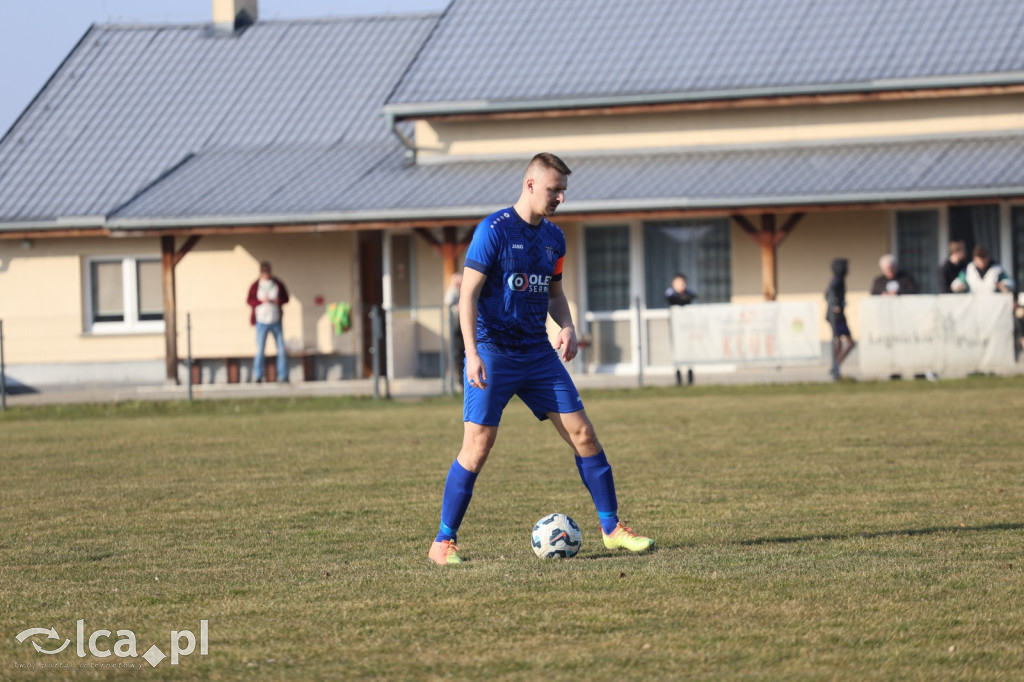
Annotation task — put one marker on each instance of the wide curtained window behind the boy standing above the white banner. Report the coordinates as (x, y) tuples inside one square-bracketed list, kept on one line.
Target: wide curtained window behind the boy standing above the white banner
[(700, 249)]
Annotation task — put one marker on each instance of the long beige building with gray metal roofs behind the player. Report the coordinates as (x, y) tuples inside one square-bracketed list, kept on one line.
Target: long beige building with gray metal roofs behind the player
[(357, 154)]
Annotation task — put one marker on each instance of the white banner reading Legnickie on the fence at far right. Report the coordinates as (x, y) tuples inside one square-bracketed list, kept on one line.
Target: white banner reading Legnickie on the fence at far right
[(949, 334)]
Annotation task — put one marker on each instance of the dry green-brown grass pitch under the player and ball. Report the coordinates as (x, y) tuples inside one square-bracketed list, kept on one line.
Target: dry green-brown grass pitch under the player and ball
[(833, 532)]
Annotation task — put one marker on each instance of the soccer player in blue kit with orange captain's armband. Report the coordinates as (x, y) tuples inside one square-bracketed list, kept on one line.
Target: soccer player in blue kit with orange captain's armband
[(511, 283)]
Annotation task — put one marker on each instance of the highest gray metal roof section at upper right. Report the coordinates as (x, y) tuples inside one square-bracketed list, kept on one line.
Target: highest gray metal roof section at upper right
[(501, 55)]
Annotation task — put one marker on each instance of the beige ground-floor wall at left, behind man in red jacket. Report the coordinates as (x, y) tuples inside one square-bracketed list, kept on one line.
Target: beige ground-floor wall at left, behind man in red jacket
[(41, 296)]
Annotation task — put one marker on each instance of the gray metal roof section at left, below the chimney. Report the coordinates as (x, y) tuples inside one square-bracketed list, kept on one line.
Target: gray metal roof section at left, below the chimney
[(131, 104)]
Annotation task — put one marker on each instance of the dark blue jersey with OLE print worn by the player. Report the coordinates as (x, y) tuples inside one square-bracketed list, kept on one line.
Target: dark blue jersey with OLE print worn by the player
[(521, 261)]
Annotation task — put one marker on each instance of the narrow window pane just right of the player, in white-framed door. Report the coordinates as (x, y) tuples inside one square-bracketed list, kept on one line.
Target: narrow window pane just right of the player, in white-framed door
[(608, 269)]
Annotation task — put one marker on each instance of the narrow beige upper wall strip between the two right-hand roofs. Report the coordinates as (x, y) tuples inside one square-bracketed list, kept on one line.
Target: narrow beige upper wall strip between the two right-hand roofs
[(738, 126)]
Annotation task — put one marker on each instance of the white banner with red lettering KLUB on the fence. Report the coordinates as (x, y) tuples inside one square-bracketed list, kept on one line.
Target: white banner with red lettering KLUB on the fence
[(778, 333)]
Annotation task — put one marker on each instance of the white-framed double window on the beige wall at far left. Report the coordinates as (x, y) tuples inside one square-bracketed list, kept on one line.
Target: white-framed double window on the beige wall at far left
[(124, 294)]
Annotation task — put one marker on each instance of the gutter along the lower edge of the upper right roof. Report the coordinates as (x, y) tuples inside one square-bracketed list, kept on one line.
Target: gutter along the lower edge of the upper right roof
[(398, 112)]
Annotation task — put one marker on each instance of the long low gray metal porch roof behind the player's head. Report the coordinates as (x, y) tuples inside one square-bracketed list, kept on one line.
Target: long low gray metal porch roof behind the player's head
[(373, 183)]
